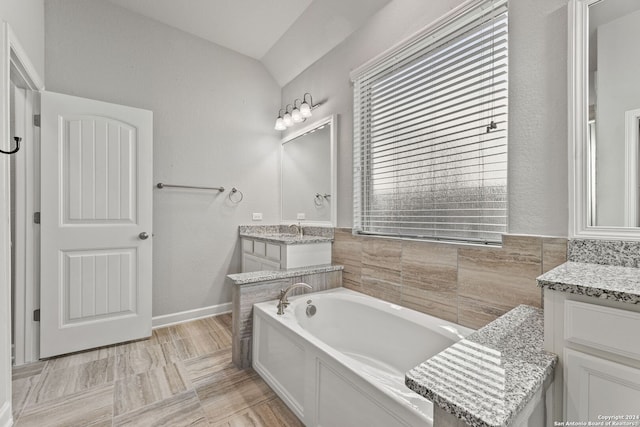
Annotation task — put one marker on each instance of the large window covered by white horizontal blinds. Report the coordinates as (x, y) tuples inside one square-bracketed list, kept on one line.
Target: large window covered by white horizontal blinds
[(430, 132)]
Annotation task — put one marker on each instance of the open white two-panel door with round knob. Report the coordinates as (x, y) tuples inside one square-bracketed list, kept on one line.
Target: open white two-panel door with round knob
[(96, 214)]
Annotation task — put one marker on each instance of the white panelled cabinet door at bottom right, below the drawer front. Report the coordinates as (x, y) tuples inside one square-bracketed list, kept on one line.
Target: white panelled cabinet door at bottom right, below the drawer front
[(598, 387)]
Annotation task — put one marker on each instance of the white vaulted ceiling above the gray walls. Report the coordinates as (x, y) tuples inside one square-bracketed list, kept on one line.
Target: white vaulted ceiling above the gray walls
[(285, 35)]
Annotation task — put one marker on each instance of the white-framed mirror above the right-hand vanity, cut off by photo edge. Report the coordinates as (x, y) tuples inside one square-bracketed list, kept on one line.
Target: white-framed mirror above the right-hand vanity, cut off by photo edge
[(604, 119)]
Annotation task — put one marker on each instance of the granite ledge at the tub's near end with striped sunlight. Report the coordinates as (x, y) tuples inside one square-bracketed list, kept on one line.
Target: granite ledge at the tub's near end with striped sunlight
[(487, 378)]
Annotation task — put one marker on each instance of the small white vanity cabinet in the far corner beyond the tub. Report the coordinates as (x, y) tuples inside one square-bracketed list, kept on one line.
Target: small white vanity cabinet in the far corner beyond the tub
[(259, 254)]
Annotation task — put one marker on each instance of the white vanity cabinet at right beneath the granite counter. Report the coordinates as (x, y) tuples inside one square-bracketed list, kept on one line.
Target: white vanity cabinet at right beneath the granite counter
[(598, 342)]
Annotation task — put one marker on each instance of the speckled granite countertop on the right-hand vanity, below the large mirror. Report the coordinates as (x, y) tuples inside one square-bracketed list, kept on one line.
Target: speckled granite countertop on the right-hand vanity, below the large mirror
[(595, 280)]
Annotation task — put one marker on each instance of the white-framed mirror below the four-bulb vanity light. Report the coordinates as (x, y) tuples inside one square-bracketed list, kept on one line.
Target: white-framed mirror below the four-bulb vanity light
[(308, 175)]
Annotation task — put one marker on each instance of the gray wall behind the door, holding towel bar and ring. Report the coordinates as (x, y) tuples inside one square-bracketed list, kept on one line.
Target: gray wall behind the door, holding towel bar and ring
[(213, 126)]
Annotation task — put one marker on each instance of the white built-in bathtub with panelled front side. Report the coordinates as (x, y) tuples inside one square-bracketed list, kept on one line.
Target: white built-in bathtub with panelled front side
[(345, 365)]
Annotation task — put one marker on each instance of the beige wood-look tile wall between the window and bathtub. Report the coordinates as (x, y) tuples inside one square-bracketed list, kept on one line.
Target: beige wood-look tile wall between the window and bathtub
[(469, 285)]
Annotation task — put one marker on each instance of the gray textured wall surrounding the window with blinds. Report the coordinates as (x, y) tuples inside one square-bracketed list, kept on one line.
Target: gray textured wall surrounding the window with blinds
[(538, 201)]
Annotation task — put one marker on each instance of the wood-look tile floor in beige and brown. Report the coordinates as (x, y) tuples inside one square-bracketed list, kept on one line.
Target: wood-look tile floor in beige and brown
[(181, 376)]
